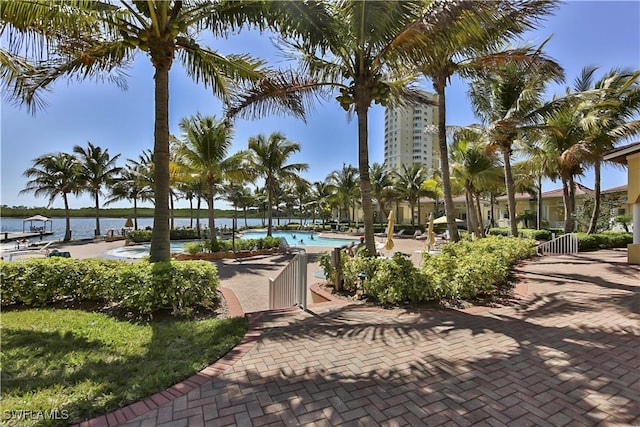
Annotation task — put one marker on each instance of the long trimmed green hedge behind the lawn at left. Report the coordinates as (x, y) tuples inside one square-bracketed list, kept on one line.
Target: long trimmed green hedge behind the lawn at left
[(142, 287)]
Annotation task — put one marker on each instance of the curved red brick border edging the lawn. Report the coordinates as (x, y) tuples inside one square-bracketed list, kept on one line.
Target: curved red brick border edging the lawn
[(129, 412)]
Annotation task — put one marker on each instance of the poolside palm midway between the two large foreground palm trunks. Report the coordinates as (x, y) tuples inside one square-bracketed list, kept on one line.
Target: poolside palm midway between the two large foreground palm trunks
[(268, 158)]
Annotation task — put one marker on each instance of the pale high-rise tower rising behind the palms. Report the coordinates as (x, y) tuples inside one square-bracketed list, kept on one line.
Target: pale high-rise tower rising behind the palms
[(410, 137)]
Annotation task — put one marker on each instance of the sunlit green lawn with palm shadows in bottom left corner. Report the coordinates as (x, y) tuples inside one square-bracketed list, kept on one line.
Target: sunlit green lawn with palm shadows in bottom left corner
[(81, 364)]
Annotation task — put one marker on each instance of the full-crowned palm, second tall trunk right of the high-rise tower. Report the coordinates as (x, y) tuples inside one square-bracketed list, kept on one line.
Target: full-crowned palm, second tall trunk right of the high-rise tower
[(508, 98)]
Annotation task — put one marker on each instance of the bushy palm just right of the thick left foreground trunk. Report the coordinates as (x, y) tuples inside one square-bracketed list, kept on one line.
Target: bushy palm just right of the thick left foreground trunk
[(203, 151)]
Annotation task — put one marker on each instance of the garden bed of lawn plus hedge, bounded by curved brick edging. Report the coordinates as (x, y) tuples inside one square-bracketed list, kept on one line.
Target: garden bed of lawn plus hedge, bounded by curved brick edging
[(81, 338)]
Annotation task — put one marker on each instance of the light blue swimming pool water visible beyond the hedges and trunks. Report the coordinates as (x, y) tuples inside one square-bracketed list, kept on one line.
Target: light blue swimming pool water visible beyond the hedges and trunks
[(295, 238)]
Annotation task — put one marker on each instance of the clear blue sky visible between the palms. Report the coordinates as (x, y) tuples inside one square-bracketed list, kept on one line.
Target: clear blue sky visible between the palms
[(602, 33)]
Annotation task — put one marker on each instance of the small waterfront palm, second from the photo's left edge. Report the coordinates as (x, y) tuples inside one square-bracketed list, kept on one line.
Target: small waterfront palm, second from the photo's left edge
[(98, 170)]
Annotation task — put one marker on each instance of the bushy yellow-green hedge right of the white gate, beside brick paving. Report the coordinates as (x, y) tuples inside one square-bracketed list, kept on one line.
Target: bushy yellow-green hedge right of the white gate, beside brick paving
[(463, 270)]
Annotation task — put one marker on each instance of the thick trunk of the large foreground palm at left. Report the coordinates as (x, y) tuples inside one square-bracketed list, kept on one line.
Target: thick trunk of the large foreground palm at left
[(160, 239)]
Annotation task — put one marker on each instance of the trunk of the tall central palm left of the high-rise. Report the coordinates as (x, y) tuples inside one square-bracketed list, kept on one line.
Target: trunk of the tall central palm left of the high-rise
[(365, 182)]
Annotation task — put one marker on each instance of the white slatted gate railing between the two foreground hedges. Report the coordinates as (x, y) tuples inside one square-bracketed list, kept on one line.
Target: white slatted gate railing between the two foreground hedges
[(289, 288)]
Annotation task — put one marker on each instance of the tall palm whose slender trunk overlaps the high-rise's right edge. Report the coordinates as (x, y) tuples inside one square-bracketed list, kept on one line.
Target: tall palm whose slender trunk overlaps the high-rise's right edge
[(460, 44)]
